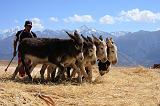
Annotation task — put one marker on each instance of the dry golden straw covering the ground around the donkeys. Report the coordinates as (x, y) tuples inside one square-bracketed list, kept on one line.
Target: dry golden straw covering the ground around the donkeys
[(136, 86)]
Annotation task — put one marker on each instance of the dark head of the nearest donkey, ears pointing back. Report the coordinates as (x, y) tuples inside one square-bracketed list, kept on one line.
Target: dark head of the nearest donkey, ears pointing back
[(78, 44)]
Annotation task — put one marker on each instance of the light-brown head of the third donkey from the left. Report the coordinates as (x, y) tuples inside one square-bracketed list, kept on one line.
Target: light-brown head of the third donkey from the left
[(101, 48)]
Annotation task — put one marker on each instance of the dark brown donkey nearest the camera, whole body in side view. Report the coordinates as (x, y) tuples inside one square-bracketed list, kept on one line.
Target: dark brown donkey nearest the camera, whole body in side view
[(61, 52)]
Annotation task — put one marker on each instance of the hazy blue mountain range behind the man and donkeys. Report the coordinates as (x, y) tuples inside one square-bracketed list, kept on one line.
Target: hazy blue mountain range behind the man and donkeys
[(134, 48)]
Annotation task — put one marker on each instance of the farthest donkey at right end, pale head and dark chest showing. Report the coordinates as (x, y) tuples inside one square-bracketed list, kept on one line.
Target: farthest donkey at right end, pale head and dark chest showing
[(104, 67)]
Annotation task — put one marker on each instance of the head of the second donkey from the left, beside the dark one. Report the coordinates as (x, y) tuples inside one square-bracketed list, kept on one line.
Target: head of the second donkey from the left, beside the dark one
[(89, 49)]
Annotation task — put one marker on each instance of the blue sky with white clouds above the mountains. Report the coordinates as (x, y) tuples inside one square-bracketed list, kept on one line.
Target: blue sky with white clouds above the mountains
[(105, 15)]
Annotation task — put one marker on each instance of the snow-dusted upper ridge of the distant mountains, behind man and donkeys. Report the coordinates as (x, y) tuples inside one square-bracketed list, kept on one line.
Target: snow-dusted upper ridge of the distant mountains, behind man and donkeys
[(49, 33)]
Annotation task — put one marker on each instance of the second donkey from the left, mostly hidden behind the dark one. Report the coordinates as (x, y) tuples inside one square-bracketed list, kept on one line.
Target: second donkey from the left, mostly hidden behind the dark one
[(89, 52)]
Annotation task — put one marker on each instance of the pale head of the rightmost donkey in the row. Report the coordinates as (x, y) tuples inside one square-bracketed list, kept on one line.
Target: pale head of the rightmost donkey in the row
[(111, 51)]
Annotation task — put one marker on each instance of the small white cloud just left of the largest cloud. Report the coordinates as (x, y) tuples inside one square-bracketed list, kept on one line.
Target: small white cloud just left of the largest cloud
[(107, 19)]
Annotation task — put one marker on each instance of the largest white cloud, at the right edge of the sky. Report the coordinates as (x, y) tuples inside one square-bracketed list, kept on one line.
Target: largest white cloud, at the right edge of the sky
[(140, 16)]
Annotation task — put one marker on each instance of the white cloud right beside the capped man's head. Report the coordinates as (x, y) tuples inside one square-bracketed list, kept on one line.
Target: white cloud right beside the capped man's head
[(37, 24)]
